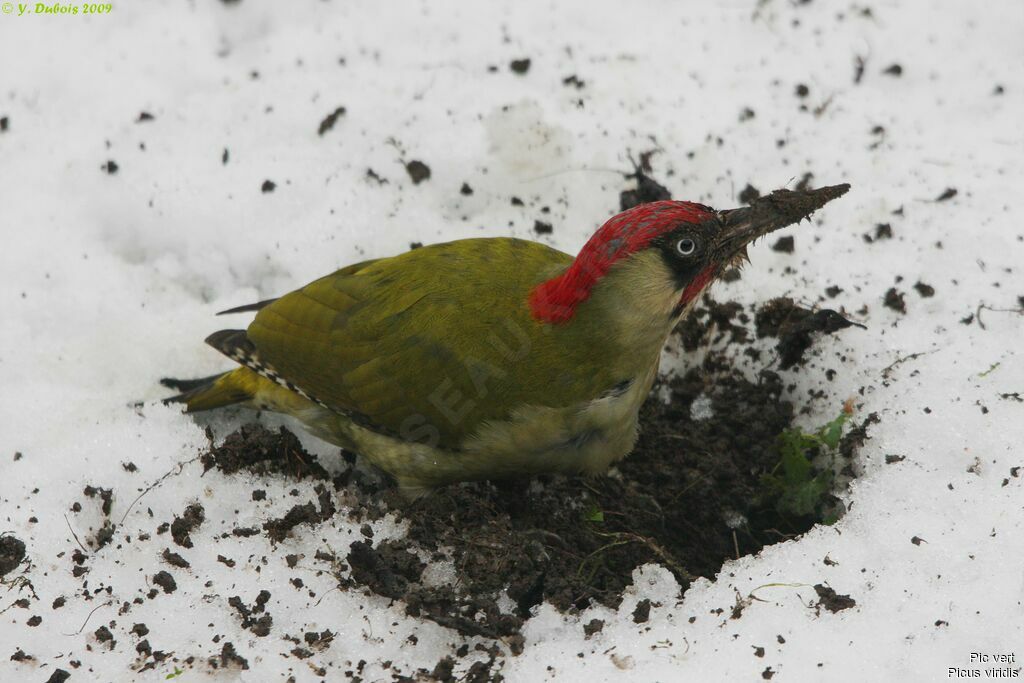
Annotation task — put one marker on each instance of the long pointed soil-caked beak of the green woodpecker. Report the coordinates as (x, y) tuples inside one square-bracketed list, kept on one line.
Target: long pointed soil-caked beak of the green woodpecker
[(767, 215)]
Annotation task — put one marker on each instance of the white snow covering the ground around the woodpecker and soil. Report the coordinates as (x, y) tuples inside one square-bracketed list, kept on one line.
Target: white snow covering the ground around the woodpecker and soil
[(109, 282)]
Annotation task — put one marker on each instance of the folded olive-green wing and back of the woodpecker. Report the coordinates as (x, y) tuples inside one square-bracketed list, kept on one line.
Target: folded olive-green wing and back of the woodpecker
[(429, 338)]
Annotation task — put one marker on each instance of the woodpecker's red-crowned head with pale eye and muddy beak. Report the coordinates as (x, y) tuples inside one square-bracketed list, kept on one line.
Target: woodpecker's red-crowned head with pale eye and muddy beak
[(662, 257)]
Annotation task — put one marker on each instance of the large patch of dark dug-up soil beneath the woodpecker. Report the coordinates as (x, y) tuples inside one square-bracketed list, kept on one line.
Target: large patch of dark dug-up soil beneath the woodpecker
[(690, 497)]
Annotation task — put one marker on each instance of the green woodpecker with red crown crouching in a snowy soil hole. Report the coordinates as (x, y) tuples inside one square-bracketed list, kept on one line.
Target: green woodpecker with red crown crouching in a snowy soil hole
[(490, 358)]
